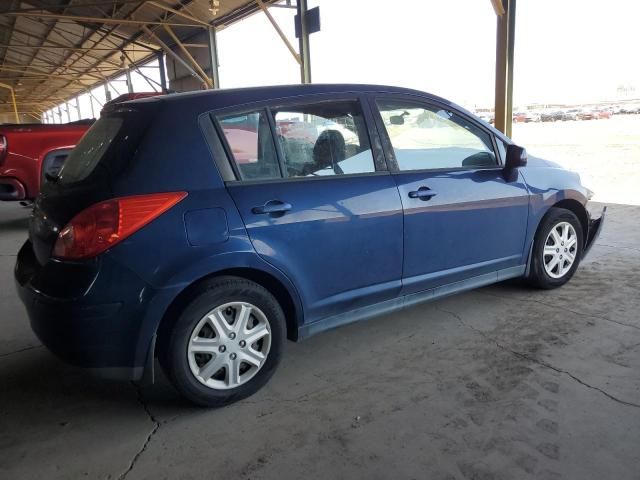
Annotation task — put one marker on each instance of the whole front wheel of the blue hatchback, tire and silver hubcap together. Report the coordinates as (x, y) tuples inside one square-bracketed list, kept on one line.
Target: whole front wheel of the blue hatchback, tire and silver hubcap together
[(557, 249)]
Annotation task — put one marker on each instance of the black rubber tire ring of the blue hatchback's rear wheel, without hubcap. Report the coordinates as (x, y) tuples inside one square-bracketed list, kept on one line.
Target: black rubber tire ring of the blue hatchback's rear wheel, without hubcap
[(207, 297)]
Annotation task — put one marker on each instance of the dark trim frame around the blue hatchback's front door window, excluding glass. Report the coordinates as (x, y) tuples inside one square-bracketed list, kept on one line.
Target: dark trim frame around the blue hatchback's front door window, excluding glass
[(424, 103)]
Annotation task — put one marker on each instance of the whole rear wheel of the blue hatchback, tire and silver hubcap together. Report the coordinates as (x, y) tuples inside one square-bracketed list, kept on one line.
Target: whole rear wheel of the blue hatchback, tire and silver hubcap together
[(221, 314)]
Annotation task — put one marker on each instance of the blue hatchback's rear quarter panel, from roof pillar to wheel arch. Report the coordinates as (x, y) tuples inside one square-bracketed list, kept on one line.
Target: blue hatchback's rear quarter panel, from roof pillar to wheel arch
[(164, 253)]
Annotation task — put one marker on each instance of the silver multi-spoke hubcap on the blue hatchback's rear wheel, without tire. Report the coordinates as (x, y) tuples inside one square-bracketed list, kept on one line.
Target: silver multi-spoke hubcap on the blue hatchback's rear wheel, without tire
[(229, 345)]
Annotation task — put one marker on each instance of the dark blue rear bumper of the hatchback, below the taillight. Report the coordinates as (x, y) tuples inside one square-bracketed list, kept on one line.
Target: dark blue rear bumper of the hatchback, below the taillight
[(98, 329)]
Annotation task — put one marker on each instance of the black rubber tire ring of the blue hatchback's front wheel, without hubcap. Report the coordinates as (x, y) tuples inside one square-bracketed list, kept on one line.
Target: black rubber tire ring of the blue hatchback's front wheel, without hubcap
[(539, 275)]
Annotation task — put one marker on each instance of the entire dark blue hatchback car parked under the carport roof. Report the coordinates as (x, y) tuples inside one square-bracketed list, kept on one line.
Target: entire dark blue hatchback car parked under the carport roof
[(203, 229)]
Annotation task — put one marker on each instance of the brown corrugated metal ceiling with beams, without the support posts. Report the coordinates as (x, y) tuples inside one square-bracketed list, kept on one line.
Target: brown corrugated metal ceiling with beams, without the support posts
[(51, 50)]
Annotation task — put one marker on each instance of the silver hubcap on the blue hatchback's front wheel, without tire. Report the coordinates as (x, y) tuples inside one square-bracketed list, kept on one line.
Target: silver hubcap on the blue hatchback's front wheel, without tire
[(560, 250)]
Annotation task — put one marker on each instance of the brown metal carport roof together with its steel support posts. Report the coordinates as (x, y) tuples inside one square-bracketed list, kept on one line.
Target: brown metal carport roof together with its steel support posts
[(52, 50)]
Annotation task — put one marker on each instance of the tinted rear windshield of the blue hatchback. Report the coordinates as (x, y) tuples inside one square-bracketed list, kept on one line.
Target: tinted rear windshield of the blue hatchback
[(108, 145)]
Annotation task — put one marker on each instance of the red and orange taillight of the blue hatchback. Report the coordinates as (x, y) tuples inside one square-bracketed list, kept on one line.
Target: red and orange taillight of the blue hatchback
[(103, 225)]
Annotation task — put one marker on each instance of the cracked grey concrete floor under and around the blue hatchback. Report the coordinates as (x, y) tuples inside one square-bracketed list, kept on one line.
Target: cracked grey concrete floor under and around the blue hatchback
[(499, 383)]
